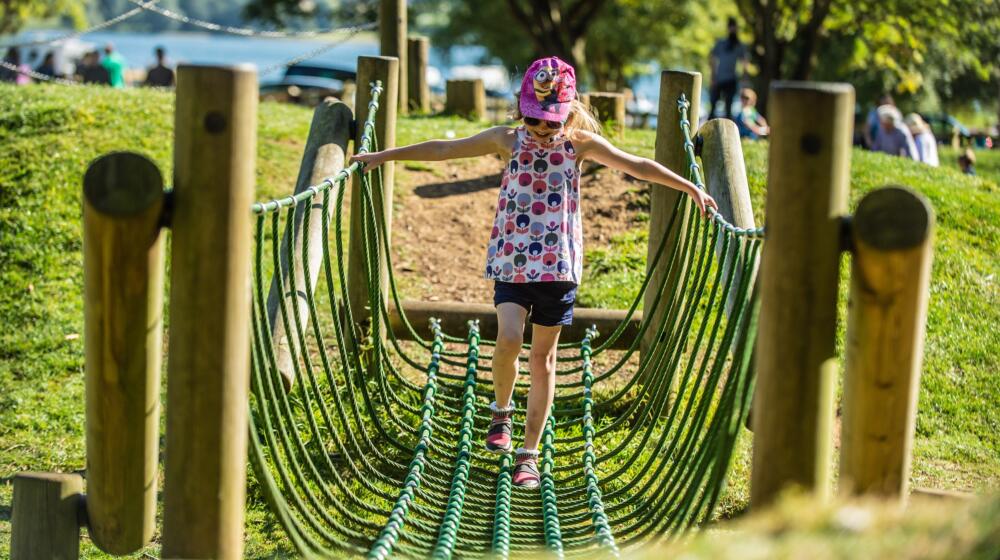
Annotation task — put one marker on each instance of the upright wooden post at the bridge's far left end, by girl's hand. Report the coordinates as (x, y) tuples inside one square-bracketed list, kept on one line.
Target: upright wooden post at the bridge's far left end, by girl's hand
[(370, 70)]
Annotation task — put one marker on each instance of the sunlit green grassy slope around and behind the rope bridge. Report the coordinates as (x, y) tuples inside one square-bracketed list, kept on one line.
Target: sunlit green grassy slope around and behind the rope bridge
[(48, 135)]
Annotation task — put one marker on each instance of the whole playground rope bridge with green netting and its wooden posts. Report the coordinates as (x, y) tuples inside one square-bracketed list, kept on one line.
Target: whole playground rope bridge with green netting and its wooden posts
[(367, 440)]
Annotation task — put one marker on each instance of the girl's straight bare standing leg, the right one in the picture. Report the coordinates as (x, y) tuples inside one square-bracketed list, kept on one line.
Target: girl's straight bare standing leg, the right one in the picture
[(542, 364)]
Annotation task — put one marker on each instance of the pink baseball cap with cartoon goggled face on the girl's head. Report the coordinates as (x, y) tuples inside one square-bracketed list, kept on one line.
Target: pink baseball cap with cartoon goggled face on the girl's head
[(548, 89)]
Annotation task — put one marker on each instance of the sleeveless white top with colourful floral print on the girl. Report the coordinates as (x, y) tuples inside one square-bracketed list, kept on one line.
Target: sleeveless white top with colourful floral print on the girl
[(537, 234)]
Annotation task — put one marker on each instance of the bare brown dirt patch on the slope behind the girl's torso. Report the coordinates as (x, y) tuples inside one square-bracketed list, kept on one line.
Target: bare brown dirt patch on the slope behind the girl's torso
[(443, 212)]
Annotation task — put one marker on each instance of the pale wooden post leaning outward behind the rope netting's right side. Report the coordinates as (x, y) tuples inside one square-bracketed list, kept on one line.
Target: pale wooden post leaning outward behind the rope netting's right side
[(726, 180)]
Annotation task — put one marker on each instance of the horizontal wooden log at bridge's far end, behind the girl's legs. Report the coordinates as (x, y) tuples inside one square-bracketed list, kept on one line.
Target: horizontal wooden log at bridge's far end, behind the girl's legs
[(455, 316)]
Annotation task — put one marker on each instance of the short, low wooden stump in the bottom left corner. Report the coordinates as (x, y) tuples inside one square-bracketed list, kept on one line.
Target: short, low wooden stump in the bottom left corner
[(46, 516)]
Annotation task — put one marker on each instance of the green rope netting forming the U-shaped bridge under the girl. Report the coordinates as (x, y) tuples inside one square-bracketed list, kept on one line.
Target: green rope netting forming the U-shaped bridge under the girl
[(376, 450)]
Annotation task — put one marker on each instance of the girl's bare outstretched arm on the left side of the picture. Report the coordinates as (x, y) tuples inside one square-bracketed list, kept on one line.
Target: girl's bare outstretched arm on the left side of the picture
[(496, 140)]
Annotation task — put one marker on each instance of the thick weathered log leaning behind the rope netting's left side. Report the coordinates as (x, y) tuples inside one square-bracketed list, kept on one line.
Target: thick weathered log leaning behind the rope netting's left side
[(324, 156)]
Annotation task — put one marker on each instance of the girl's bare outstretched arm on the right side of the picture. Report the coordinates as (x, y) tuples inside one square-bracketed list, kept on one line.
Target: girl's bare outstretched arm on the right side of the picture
[(597, 148)]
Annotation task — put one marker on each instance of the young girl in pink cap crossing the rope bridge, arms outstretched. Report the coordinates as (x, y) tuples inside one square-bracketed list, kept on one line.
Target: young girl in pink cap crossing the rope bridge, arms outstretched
[(535, 255)]
